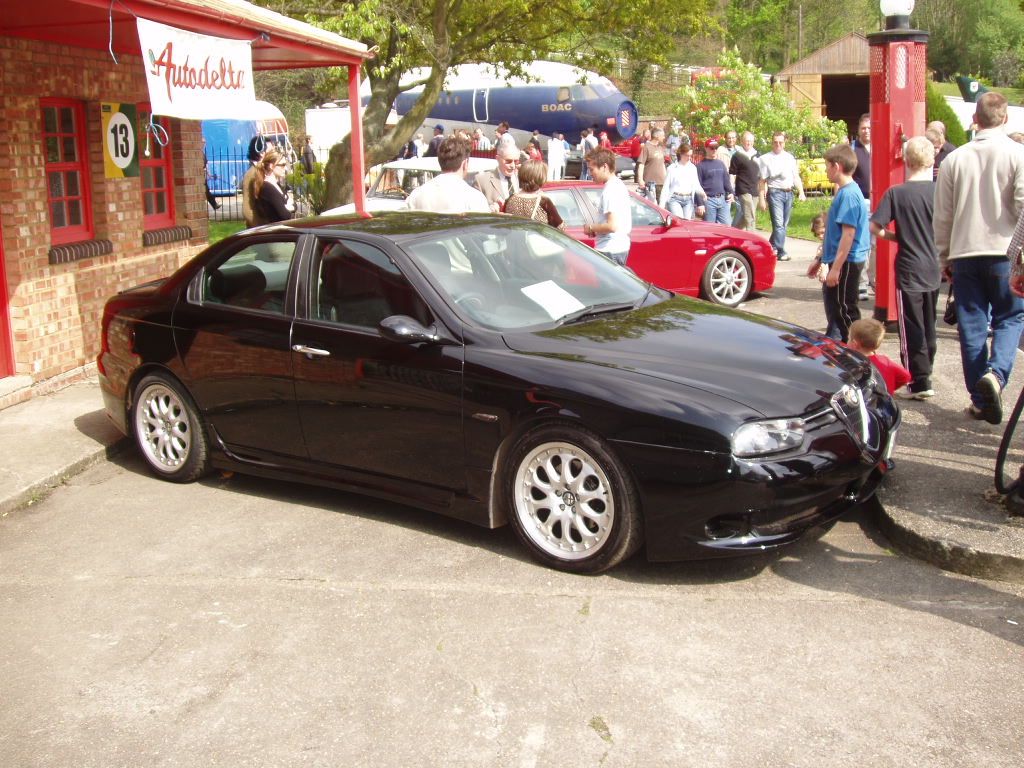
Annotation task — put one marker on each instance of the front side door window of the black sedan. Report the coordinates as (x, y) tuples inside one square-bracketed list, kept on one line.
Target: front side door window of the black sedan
[(360, 285)]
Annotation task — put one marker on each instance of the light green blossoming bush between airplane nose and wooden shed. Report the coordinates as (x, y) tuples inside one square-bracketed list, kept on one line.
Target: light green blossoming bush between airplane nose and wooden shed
[(742, 100)]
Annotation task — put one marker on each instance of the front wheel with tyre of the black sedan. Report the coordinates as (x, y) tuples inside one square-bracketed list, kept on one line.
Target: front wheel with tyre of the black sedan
[(573, 505)]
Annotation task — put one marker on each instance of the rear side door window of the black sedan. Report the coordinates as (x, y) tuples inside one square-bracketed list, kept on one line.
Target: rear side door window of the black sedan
[(253, 278)]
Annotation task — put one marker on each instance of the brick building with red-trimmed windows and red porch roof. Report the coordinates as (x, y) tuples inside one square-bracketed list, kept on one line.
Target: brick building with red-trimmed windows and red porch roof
[(71, 236)]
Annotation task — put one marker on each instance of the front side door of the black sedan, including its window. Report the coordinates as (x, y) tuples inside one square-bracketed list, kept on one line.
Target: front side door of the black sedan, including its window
[(368, 404)]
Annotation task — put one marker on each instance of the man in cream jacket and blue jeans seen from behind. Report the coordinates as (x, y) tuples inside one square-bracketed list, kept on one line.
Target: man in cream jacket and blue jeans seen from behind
[(979, 196)]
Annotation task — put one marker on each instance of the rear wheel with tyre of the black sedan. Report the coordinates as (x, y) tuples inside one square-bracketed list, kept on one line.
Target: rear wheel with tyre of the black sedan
[(168, 431)]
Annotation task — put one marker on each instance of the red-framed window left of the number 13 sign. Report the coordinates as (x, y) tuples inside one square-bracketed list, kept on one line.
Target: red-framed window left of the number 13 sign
[(67, 170)]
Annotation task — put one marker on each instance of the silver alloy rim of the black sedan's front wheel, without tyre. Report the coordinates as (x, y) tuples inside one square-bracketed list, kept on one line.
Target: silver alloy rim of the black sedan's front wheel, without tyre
[(565, 501)]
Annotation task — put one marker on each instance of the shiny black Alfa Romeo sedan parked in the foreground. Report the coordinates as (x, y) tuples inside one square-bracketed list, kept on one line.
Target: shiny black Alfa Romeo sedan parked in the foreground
[(496, 371)]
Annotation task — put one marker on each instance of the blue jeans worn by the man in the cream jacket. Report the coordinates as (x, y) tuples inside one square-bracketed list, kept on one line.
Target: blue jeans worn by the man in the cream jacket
[(982, 288)]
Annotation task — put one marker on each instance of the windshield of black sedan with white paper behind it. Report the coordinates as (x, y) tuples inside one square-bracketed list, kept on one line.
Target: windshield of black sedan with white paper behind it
[(525, 275)]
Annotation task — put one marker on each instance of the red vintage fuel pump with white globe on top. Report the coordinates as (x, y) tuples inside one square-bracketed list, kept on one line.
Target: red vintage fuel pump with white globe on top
[(899, 88)]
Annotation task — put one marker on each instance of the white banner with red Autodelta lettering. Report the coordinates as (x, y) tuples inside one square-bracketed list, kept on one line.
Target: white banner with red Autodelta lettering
[(197, 77)]
